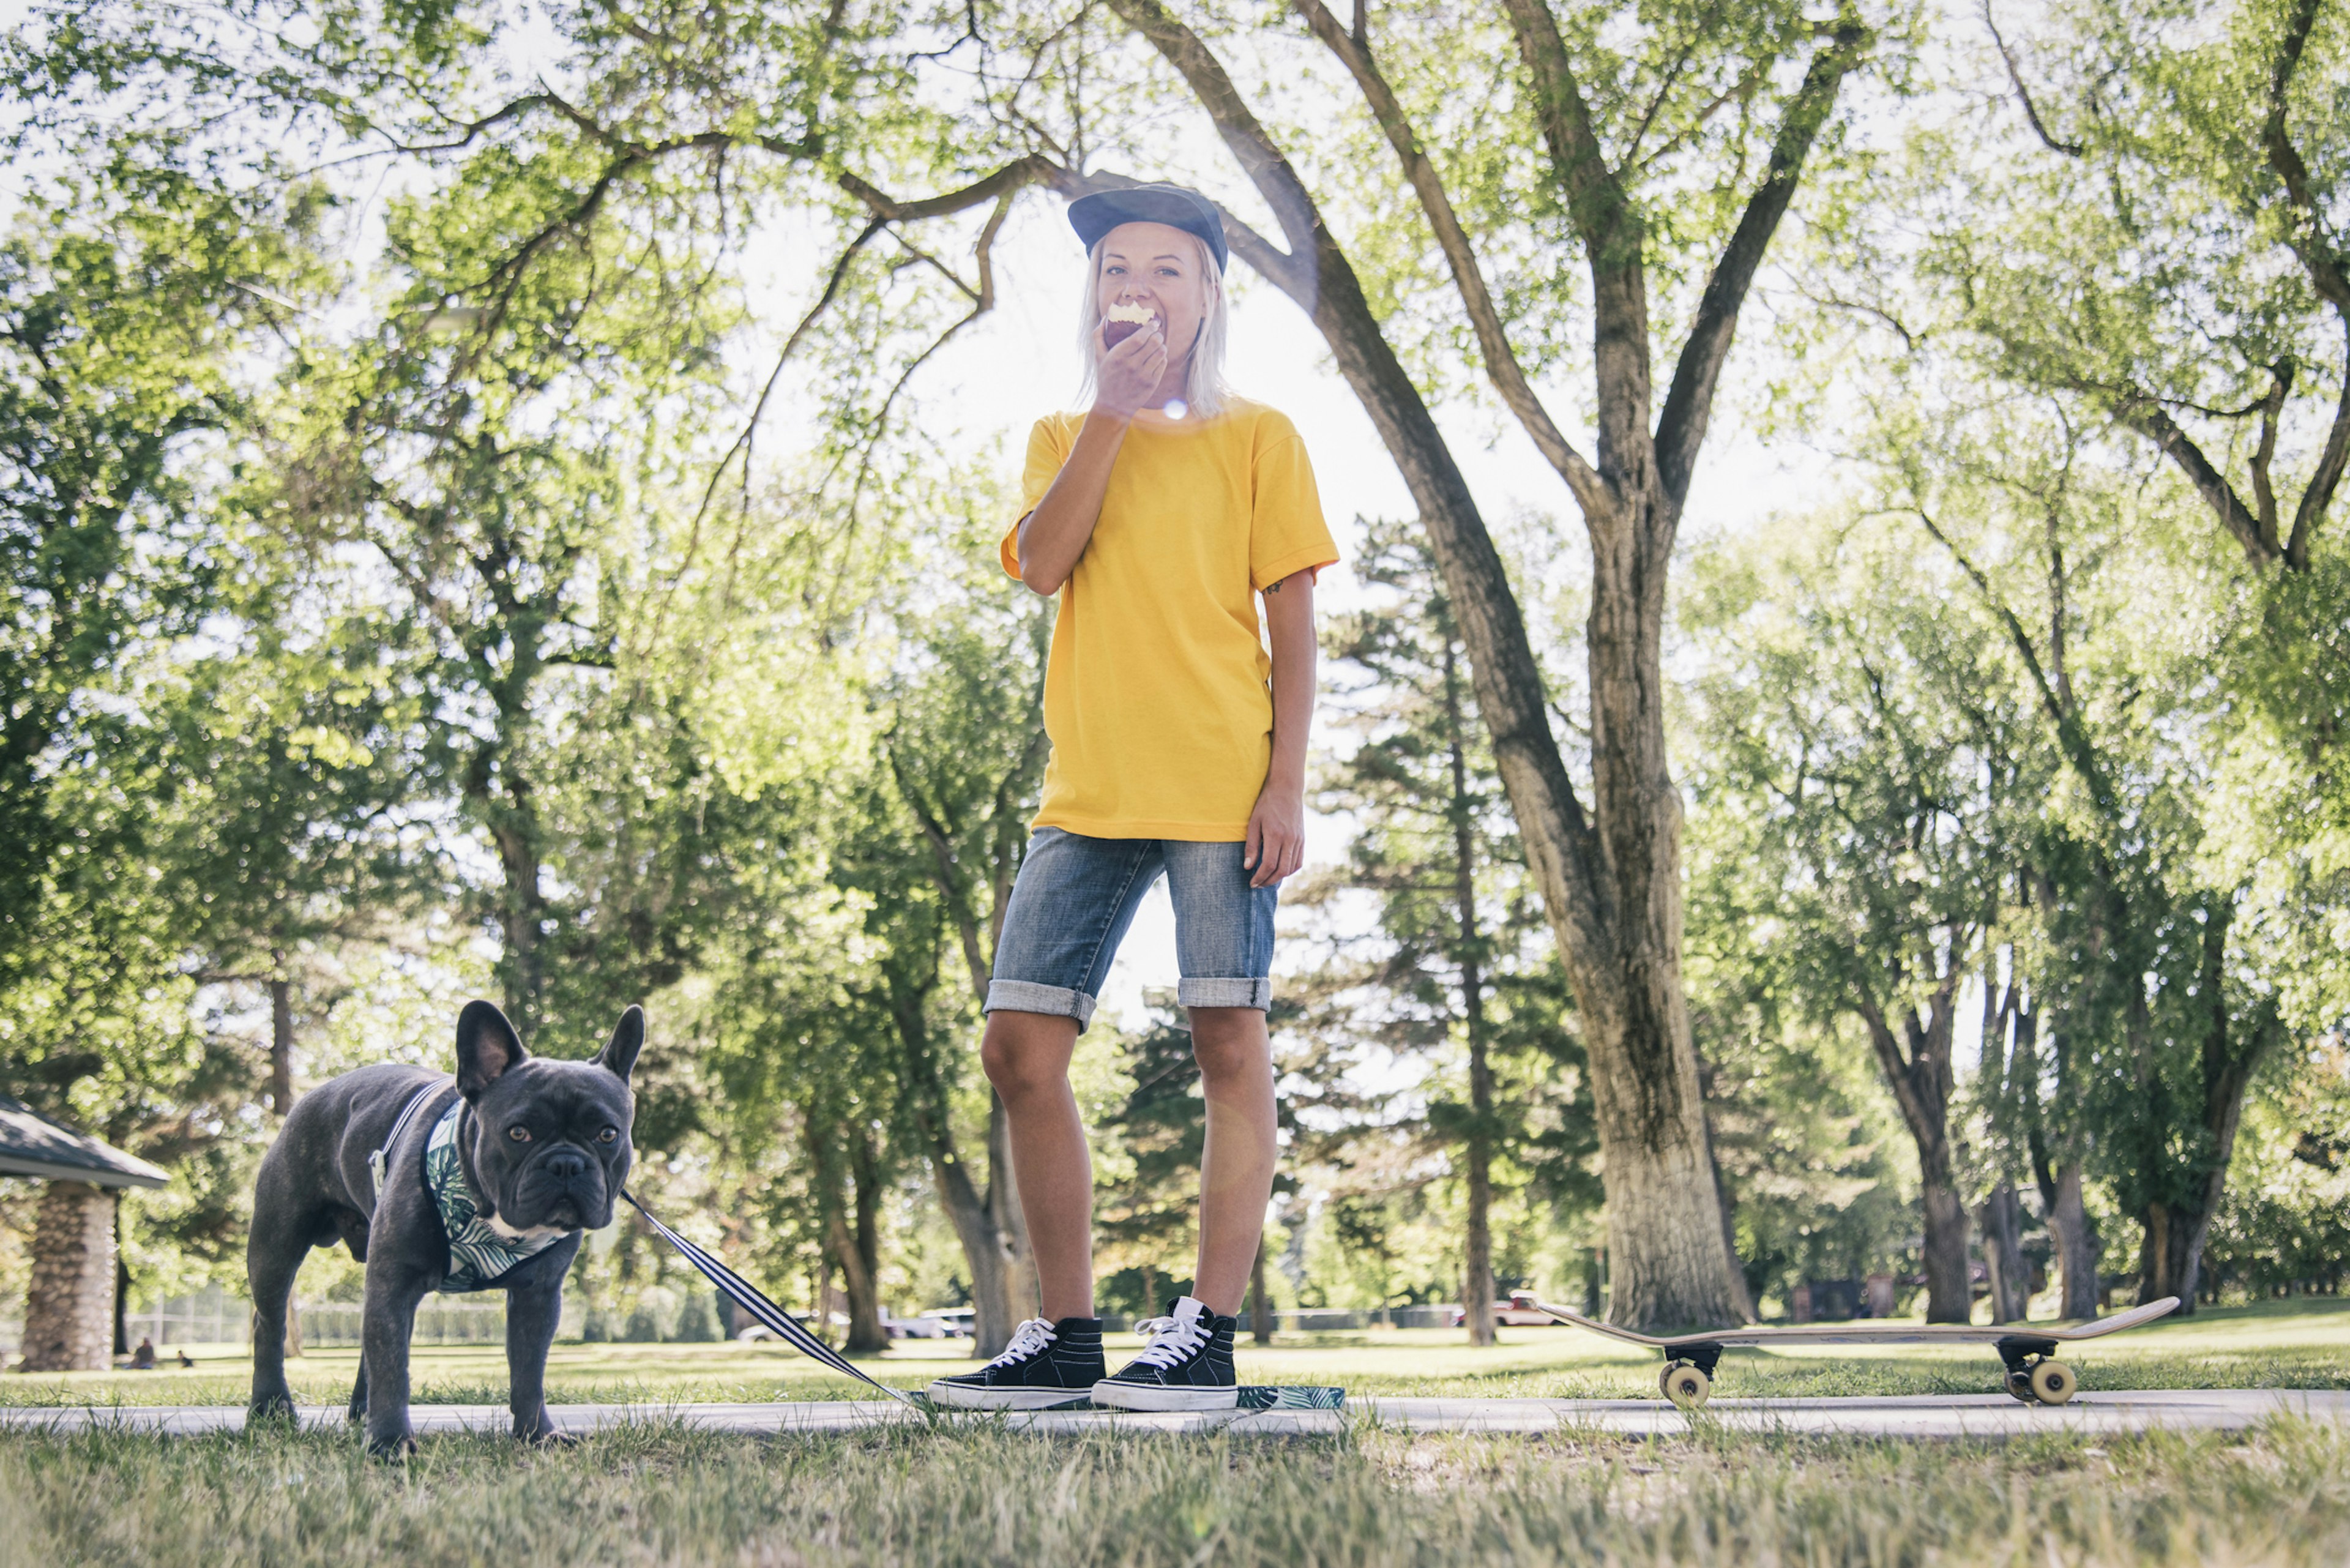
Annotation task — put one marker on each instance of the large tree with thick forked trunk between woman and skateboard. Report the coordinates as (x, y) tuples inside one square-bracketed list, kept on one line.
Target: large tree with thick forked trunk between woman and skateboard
[(1602, 123)]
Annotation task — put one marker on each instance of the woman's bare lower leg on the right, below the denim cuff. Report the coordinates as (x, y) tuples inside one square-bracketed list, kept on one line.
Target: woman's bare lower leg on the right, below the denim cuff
[(1237, 1162)]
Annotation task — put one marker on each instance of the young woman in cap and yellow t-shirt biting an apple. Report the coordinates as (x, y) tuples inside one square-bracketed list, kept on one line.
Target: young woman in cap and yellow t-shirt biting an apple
[(1179, 746)]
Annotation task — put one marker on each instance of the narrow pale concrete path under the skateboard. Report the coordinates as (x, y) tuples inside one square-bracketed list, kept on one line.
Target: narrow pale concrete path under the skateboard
[(1921, 1419)]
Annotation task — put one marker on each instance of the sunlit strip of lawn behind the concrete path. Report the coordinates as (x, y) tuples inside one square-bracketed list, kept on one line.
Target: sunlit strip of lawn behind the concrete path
[(2299, 1343)]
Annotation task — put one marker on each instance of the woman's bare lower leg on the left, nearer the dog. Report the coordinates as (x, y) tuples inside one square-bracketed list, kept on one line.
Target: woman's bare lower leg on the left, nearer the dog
[(1028, 1061)]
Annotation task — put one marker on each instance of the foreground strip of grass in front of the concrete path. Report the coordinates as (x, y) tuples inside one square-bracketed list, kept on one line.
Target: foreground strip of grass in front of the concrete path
[(986, 1496)]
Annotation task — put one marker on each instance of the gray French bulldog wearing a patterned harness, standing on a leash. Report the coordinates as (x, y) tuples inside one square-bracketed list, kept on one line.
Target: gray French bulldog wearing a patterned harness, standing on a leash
[(481, 1184)]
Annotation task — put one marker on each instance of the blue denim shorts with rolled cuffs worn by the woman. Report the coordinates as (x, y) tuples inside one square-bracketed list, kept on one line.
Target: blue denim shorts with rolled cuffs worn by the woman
[(1075, 899)]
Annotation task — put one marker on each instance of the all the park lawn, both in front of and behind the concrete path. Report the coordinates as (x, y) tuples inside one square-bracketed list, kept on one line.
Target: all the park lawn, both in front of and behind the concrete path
[(979, 1494)]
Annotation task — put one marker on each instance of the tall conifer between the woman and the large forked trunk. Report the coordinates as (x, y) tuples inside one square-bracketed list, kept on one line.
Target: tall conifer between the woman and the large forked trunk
[(1458, 981)]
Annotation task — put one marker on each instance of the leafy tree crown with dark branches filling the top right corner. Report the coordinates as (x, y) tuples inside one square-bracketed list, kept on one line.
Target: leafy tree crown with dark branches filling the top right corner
[(2205, 145)]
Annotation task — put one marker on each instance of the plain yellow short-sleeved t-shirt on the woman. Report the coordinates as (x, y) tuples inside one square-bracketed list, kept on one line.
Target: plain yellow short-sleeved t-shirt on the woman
[(1157, 690)]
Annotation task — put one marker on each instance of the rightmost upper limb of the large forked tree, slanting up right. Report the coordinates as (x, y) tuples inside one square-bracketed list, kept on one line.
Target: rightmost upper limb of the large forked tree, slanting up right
[(1688, 408)]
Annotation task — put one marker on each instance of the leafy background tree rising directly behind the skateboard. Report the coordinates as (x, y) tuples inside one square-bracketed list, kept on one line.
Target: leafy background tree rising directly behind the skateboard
[(1881, 770)]
